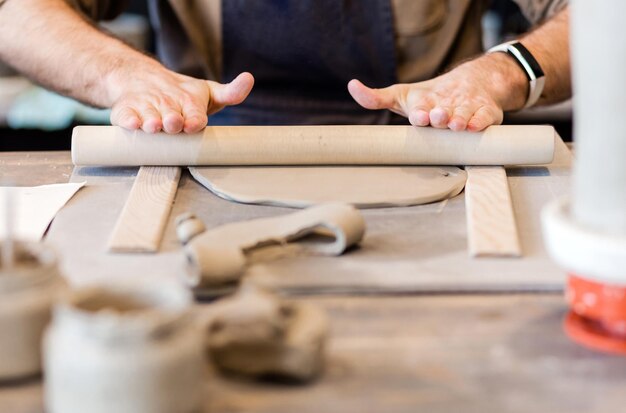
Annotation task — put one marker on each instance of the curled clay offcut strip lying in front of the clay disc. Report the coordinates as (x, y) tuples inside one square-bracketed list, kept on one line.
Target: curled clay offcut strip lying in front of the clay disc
[(216, 257)]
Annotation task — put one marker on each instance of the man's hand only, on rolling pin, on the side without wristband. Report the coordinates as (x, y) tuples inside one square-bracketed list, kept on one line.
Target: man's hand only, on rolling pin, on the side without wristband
[(162, 100)]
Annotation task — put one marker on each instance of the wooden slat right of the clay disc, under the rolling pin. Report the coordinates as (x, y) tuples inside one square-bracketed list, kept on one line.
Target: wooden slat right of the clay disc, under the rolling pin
[(491, 227)]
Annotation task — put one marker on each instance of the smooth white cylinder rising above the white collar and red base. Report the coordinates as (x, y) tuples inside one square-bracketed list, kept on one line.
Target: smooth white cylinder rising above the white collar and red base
[(599, 75)]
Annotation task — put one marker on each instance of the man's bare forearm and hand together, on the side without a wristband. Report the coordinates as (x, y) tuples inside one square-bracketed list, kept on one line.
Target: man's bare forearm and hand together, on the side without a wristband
[(52, 44)]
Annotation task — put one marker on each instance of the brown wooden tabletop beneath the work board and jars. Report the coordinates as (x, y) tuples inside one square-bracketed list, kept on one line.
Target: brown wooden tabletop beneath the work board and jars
[(431, 353)]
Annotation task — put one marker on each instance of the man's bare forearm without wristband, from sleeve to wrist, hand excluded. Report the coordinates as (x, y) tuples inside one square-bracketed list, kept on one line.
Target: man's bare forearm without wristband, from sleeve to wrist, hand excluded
[(52, 44)]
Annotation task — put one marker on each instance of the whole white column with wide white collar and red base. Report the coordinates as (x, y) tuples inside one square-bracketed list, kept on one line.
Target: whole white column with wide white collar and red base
[(587, 235)]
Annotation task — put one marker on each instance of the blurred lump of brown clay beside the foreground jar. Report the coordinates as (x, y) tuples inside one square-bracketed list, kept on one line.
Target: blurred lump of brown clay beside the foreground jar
[(255, 334)]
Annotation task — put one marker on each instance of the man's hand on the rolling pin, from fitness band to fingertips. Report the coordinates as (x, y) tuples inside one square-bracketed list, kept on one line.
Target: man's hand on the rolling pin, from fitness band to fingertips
[(472, 96)]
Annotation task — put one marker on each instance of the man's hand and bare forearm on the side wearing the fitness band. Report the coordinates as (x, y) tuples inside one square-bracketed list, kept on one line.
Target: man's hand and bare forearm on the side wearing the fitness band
[(475, 94)]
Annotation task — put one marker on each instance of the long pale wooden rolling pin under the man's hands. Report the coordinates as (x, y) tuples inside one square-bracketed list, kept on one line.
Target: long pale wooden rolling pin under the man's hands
[(314, 145)]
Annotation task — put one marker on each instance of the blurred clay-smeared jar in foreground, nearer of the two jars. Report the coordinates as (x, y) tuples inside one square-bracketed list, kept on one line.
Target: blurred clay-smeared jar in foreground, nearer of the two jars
[(124, 350)]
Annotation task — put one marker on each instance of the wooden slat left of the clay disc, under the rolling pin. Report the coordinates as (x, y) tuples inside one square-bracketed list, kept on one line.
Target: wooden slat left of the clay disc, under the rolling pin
[(140, 226)]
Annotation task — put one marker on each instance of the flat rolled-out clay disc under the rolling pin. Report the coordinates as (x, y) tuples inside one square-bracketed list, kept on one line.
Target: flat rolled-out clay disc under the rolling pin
[(361, 186)]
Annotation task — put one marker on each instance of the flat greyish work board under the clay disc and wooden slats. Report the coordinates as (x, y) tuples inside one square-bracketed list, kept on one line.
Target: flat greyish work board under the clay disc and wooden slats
[(415, 249)]
